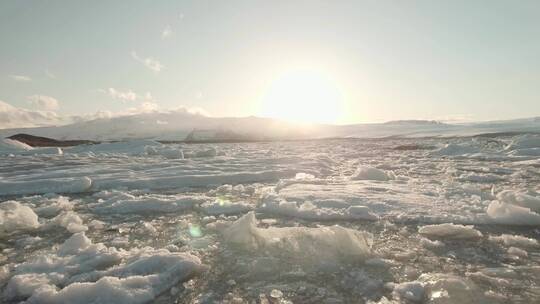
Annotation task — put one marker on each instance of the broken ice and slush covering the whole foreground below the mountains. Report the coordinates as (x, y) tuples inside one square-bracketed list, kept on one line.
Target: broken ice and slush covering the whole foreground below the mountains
[(342, 221)]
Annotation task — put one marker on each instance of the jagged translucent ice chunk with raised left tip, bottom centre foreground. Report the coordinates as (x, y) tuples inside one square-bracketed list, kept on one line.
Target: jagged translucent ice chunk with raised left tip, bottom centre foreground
[(307, 244)]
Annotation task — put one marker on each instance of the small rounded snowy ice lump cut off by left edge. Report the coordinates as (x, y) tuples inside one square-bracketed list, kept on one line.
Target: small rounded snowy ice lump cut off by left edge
[(14, 216)]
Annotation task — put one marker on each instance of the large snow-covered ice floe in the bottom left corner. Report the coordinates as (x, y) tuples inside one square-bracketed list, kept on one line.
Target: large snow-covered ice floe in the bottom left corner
[(83, 272)]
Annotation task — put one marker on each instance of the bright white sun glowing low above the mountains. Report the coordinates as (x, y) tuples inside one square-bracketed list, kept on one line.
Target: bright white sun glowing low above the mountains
[(303, 96)]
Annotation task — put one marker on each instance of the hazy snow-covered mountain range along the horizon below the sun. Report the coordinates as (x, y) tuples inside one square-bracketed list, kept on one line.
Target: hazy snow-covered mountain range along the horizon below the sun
[(179, 125)]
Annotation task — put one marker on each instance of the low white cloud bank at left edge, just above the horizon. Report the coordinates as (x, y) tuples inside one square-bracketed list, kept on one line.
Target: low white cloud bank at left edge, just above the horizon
[(14, 117)]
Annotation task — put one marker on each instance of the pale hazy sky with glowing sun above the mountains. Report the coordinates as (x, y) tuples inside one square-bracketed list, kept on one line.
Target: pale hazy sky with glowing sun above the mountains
[(324, 61)]
